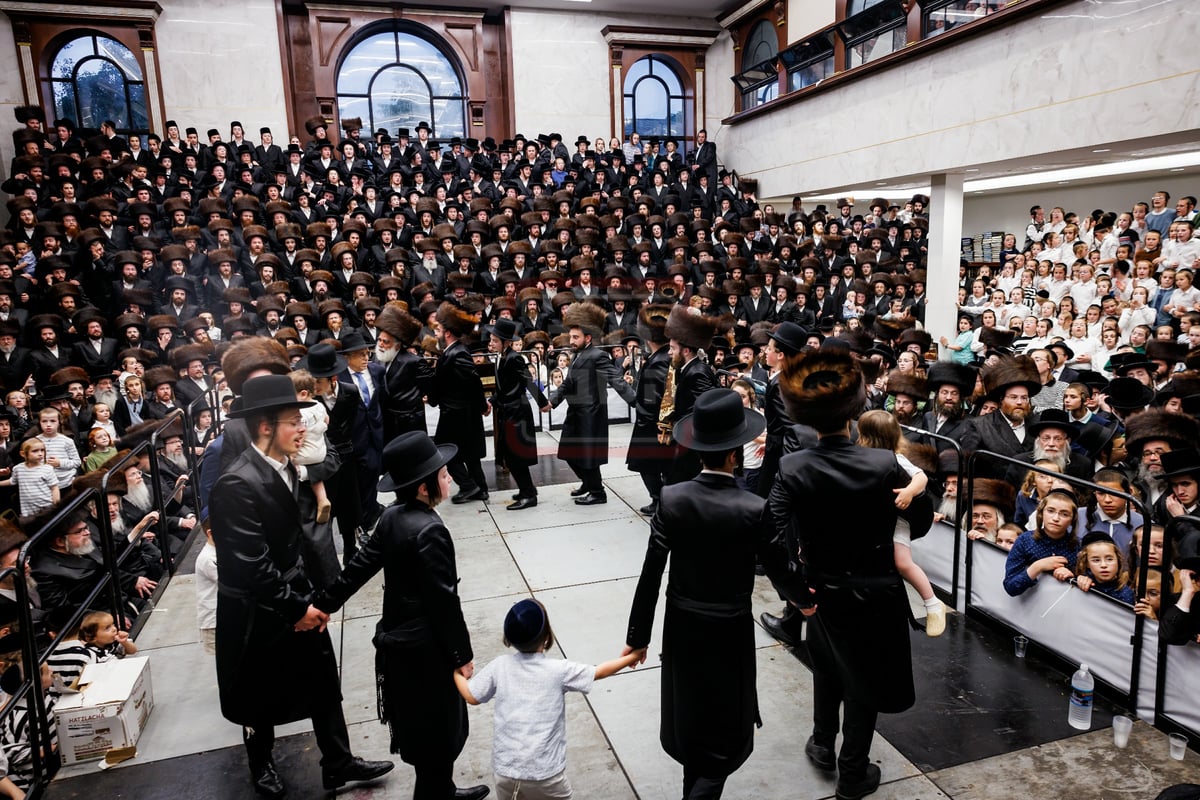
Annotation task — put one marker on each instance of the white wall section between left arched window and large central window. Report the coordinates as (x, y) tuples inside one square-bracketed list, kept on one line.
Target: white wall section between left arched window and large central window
[(220, 62)]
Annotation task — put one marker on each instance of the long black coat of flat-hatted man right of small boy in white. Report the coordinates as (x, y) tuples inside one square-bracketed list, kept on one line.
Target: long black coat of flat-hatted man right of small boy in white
[(713, 533)]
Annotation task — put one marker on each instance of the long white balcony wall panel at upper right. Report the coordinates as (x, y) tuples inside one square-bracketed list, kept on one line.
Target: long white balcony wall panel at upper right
[(997, 97)]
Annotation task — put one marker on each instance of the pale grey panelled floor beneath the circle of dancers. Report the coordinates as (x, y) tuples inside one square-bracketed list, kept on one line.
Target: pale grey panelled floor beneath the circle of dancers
[(583, 563)]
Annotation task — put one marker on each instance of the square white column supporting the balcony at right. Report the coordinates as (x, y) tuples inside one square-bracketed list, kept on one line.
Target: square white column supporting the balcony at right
[(945, 248)]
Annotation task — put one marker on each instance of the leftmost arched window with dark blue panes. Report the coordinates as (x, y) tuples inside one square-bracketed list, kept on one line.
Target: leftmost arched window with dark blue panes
[(97, 79)]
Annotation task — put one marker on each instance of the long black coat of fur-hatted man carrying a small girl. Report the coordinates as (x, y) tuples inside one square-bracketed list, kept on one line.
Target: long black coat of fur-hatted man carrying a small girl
[(835, 506)]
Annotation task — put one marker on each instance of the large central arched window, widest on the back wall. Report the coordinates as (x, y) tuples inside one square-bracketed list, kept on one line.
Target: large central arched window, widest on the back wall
[(398, 80)]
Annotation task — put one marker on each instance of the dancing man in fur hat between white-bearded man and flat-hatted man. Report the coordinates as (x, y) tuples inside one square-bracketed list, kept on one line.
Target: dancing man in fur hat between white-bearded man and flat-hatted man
[(460, 396)]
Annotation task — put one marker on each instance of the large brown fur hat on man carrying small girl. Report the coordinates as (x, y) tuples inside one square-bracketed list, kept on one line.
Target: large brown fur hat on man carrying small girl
[(823, 389)]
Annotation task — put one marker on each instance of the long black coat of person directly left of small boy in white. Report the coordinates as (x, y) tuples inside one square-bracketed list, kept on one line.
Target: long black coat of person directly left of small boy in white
[(422, 637)]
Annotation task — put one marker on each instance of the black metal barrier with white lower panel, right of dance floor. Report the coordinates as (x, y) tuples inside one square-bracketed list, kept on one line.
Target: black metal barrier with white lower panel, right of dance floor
[(1156, 681)]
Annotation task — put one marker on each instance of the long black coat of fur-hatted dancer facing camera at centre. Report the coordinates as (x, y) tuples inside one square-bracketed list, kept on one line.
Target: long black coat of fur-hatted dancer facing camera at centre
[(585, 438)]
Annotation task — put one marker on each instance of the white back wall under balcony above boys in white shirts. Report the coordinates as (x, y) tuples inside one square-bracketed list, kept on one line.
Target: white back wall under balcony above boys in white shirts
[(1011, 212)]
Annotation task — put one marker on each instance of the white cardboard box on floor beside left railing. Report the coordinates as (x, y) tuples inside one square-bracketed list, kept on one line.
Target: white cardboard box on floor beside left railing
[(111, 709)]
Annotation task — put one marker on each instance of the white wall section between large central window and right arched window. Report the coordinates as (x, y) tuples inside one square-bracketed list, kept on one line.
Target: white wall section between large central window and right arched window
[(562, 74)]
